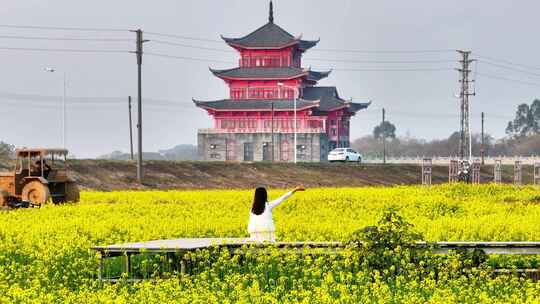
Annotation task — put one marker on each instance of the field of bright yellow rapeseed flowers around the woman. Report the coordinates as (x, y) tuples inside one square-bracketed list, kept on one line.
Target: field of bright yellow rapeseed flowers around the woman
[(45, 254)]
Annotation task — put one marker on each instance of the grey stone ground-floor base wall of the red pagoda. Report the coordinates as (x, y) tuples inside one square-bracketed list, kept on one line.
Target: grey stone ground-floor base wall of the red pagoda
[(312, 147)]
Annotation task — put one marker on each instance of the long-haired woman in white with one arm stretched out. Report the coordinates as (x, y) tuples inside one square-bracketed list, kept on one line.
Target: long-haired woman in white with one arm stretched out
[(261, 224)]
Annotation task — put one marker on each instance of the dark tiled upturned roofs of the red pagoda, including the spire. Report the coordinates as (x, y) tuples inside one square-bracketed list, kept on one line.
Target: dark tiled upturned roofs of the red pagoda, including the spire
[(271, 37)]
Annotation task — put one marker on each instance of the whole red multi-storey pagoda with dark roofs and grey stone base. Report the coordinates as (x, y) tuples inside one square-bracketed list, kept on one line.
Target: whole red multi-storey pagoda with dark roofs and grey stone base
[(268, 91)]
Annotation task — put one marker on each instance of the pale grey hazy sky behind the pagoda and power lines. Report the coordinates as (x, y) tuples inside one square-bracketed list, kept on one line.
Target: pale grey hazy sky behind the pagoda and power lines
[(421, 103)]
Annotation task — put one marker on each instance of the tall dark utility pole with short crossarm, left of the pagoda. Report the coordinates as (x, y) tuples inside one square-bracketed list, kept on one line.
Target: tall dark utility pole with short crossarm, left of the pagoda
[(138, 53)]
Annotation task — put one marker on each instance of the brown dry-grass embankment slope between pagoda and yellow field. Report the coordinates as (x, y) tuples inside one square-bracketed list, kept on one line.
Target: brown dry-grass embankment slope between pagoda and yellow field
[(117, 175)]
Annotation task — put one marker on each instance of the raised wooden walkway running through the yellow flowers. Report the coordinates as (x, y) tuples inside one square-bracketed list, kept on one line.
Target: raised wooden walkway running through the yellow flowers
[(179, 247)]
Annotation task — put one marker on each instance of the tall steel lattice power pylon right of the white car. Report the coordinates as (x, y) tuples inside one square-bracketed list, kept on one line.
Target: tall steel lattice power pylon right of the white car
[(465, 147)]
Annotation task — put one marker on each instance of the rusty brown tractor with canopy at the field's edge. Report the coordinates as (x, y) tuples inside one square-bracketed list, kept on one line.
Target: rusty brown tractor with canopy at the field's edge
[(40, 176)]
